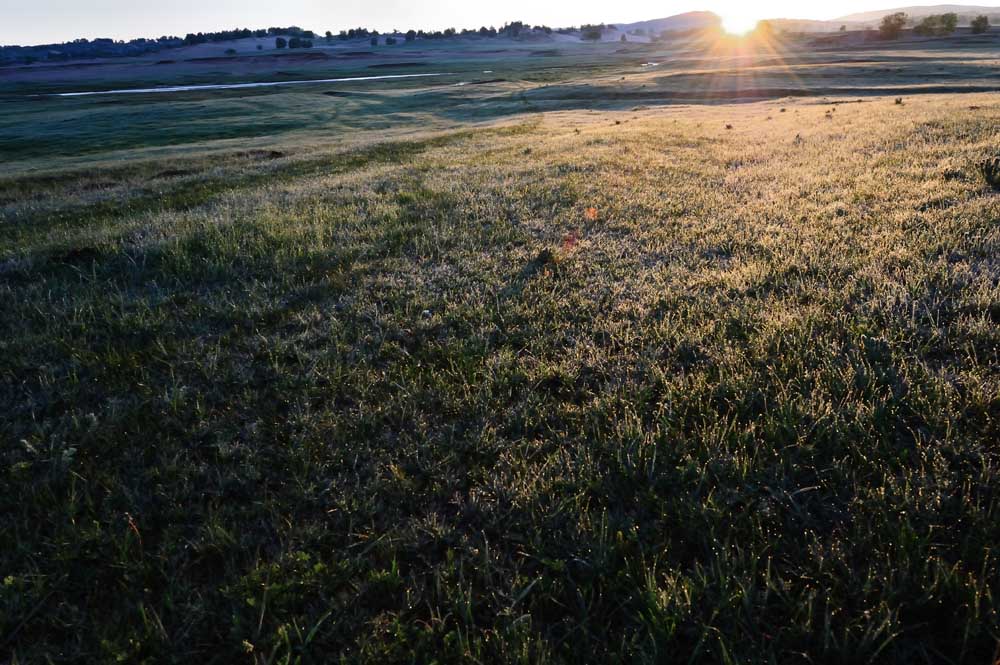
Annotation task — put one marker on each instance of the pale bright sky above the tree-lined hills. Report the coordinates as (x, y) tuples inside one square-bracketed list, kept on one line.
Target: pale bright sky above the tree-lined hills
[(47, 21)]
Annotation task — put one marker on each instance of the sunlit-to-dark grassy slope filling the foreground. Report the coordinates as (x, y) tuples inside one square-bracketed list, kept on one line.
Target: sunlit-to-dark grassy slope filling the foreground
[(655, 391)]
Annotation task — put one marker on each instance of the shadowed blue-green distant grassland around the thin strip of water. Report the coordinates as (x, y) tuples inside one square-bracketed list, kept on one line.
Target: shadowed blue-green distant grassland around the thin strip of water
[(484, 83)]
